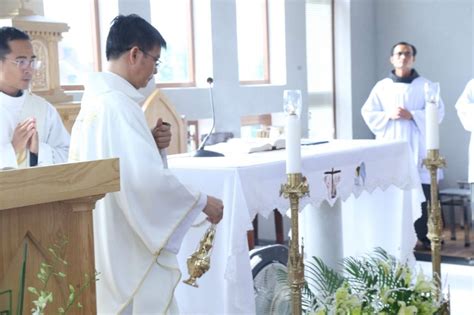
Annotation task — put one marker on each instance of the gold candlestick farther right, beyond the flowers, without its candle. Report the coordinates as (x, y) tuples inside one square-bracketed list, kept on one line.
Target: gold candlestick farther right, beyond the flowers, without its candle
[(432, 163)]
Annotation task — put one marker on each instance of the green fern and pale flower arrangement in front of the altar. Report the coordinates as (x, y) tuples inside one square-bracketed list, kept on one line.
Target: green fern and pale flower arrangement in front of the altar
[(372, 284)]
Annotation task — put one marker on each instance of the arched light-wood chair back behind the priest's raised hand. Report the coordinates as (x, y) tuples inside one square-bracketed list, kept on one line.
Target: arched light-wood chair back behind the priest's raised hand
[(158, 106)]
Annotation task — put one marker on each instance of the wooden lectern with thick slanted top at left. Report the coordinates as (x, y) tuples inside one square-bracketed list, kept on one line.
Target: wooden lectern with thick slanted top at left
[(37, 206)]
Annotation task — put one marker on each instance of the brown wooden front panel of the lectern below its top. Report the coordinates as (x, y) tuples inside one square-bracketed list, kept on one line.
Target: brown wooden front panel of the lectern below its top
[(41, 226)]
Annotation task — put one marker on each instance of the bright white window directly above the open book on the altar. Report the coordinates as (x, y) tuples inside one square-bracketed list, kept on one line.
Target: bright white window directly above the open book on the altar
[(252, 40)]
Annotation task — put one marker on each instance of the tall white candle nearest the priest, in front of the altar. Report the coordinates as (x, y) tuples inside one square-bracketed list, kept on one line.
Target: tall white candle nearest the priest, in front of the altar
[(293, 144)]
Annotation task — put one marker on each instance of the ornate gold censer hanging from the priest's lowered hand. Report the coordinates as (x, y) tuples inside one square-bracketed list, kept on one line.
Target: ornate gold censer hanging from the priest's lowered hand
[(200, 261)]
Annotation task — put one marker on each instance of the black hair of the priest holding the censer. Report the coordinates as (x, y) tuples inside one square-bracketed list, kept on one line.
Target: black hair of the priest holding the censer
[(131, 30)]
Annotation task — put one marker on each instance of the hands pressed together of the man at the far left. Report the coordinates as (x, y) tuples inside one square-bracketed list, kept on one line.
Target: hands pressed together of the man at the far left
[(25, 136)]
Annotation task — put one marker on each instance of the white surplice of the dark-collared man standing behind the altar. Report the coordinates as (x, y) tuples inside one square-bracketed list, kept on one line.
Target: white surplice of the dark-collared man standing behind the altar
[(383, 99)]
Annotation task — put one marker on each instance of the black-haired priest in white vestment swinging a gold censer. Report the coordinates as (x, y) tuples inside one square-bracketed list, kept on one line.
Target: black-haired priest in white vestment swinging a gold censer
[(137, 231)]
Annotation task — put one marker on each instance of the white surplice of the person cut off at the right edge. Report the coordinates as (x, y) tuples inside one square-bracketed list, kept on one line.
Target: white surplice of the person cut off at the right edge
[(465, 109)]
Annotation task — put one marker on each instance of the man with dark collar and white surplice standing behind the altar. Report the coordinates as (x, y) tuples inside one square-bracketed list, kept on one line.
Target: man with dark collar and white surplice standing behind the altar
[(395, 110)]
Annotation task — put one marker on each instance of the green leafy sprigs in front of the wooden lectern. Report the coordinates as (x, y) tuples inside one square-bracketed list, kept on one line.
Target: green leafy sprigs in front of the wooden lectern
[(46, 272)]
